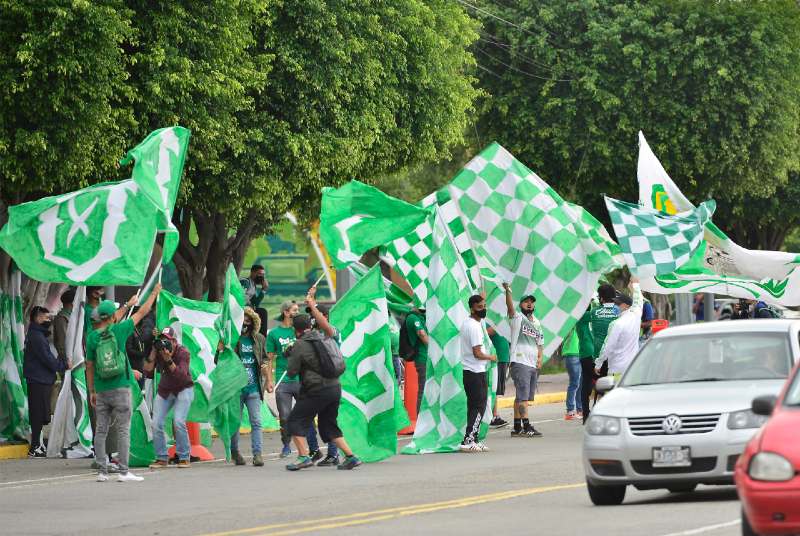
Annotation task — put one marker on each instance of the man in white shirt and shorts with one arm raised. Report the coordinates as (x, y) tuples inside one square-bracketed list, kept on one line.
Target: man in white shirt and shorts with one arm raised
[(527, 349)]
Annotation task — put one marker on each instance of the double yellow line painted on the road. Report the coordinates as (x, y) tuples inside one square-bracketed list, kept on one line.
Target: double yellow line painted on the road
[(361, 518)]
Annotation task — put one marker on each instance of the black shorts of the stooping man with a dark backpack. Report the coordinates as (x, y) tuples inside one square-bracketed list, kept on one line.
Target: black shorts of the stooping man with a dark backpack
[(323, 404)]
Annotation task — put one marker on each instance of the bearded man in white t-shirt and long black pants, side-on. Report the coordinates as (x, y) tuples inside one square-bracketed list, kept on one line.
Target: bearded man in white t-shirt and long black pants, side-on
[(474, 361)]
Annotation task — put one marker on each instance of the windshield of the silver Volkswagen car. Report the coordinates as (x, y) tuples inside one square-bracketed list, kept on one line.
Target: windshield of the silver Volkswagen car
[(711, 357)]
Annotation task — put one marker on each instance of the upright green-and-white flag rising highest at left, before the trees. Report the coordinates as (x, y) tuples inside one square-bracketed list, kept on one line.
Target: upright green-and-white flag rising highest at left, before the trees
[(158, 167)]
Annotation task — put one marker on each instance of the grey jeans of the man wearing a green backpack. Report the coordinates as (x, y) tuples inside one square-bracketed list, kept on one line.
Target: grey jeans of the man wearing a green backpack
[(113, 406)]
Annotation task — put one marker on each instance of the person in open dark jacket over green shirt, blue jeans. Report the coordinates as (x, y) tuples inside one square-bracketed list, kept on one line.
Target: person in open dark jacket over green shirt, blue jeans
[(251, 349)]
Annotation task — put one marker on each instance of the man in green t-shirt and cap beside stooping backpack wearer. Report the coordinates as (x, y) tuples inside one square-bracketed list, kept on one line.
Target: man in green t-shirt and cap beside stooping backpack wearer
[(279, 339)]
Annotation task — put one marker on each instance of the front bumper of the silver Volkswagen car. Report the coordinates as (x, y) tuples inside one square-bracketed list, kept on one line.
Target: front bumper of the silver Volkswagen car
[(713, 456)]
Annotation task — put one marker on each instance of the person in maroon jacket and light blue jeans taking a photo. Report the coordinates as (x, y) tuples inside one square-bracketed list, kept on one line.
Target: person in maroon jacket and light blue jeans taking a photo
[(175, 392)]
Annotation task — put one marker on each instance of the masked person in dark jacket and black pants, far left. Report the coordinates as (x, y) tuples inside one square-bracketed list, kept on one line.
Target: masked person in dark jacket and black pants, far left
[(40, 368)]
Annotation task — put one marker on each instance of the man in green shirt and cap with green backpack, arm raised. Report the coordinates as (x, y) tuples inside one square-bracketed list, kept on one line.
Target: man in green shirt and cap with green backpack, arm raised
[(111, 395)]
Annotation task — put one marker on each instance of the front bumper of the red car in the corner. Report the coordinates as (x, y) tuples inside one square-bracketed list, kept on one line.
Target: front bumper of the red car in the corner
[(771, 507)]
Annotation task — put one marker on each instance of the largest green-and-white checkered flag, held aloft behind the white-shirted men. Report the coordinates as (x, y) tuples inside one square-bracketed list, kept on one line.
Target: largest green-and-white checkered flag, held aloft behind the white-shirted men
[(523, 231)]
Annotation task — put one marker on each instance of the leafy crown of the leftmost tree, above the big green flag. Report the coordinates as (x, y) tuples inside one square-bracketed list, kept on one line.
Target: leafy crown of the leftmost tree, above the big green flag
[(63, 112)]
